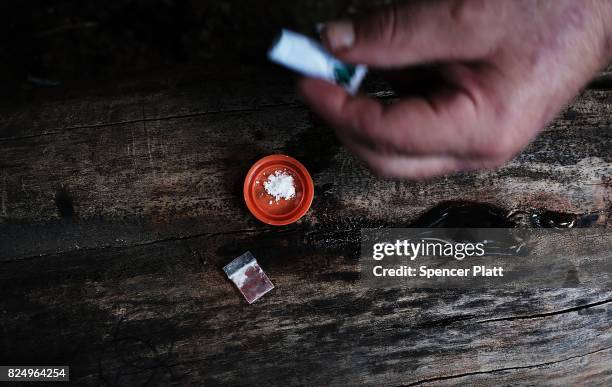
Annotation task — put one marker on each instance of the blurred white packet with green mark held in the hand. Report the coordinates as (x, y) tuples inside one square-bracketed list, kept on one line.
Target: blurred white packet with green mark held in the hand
[(308, 57)]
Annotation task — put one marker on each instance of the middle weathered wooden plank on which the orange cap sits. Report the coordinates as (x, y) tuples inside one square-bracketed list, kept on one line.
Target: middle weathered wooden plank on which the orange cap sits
[(179, 176)]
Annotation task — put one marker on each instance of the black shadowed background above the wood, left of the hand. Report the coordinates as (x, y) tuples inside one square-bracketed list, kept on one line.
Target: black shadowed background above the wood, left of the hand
[(51, 46)]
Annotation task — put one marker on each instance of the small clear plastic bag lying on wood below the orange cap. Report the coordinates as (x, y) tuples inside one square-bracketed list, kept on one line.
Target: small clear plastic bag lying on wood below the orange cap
[(248, 277)]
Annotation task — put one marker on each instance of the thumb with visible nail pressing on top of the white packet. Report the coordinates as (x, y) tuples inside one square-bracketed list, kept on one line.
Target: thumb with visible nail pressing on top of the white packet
[(413, 33)]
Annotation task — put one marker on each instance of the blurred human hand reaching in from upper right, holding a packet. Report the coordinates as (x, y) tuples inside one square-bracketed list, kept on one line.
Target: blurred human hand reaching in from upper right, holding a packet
[(508, 68)]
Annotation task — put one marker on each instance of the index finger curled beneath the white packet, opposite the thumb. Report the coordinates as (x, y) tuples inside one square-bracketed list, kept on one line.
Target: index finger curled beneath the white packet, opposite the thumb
[(445, 124)]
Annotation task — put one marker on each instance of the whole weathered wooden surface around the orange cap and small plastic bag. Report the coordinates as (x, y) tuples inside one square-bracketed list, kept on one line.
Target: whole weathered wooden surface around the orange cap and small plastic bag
[(119, 208)]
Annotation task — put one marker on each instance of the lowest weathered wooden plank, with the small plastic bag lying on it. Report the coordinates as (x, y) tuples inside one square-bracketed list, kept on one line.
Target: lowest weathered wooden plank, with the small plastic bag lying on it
[(166, 311)]
